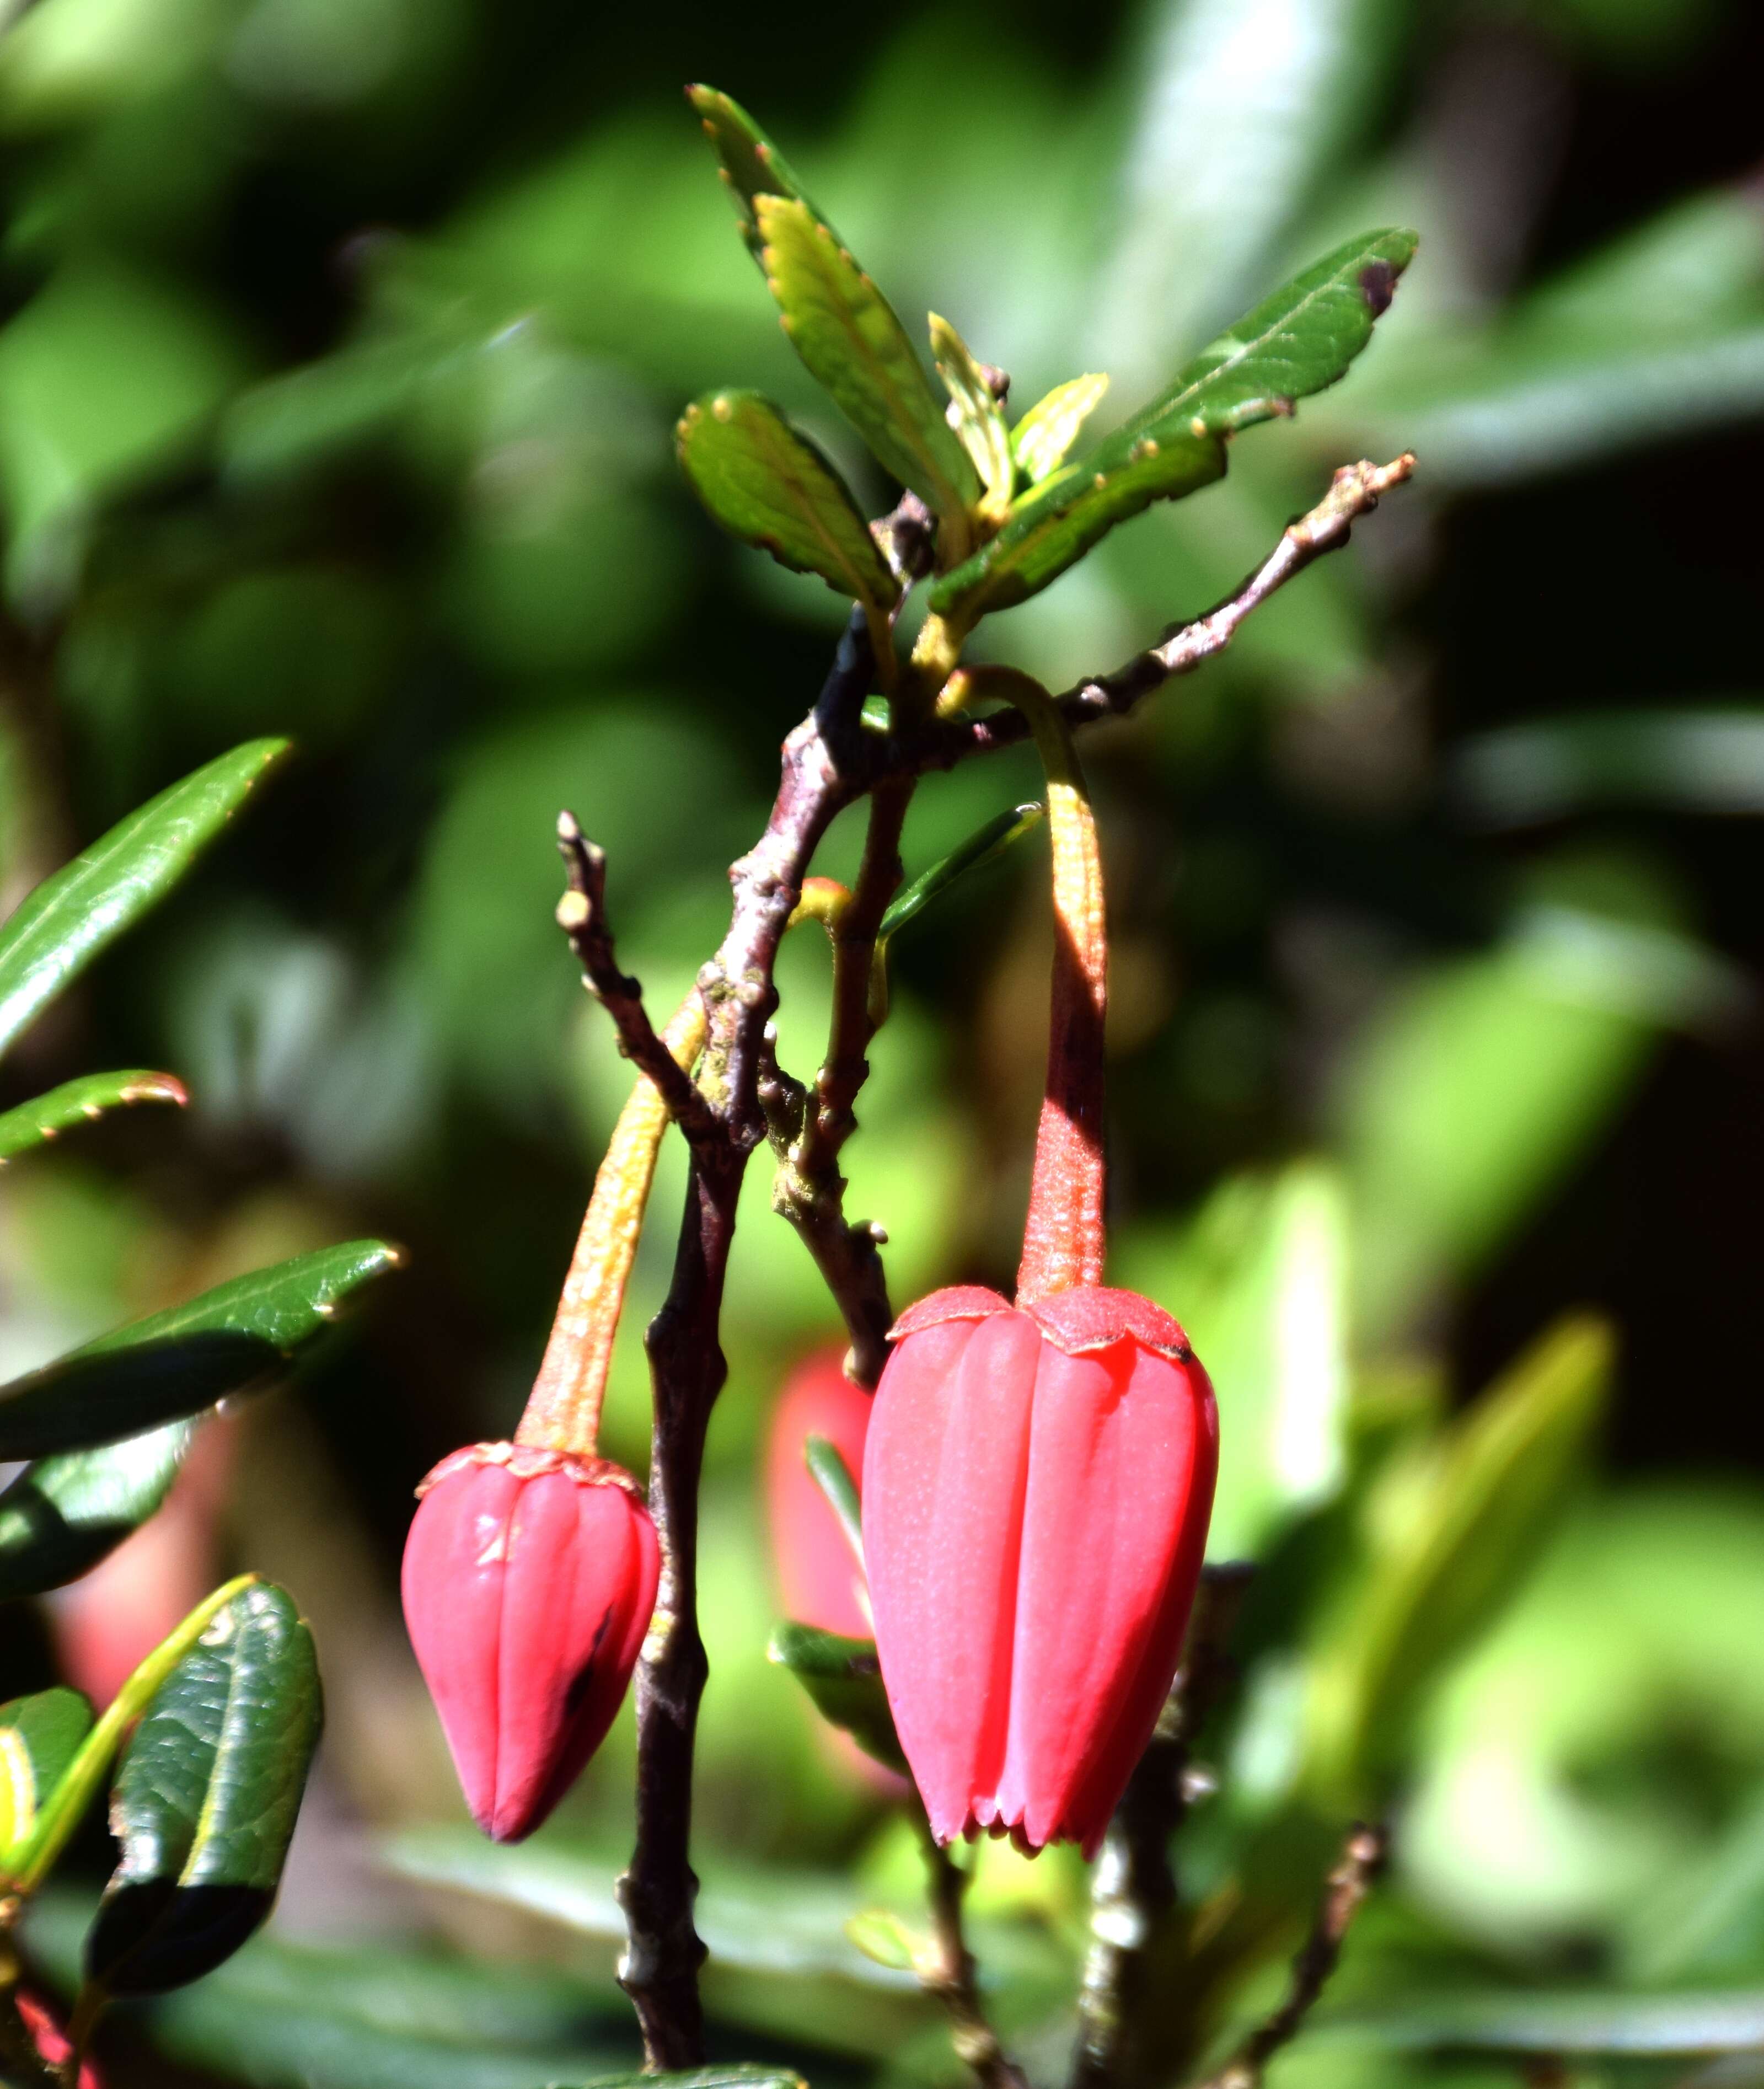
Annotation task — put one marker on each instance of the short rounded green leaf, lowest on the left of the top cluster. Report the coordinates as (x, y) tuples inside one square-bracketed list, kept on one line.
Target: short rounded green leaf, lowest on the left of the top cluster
[(767, 484)]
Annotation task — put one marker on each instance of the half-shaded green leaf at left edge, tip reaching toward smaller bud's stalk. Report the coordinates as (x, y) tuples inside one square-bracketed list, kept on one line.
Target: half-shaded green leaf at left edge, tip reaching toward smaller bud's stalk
[(187, 1359)]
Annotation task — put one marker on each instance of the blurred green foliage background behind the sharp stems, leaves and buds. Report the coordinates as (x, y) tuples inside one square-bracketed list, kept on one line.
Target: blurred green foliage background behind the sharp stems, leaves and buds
[(341, 352)]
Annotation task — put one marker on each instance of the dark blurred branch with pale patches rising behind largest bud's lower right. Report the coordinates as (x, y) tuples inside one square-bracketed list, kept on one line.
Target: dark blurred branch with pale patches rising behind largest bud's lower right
[(1135, 1892)]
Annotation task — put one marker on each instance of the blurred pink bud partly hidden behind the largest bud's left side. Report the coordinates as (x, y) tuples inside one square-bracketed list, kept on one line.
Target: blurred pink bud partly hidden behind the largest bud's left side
[(819, 1578)]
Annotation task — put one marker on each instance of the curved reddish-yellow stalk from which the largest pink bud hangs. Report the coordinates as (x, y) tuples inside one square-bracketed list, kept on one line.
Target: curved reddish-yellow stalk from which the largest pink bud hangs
[(1064, 1236)]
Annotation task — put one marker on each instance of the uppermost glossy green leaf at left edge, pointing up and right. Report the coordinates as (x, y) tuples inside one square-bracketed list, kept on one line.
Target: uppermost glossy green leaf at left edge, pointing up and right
[(76, 914)]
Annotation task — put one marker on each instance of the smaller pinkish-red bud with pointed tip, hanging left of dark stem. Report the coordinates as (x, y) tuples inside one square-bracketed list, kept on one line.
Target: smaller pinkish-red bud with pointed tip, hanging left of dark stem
[(529, 1585)]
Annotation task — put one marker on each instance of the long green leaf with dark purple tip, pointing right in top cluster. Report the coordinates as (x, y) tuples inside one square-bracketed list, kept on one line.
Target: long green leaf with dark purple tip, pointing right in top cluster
[(1295, 344)]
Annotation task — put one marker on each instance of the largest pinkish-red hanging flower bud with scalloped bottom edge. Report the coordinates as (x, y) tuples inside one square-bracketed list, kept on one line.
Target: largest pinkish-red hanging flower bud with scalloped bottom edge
[(1039, 1482)]
